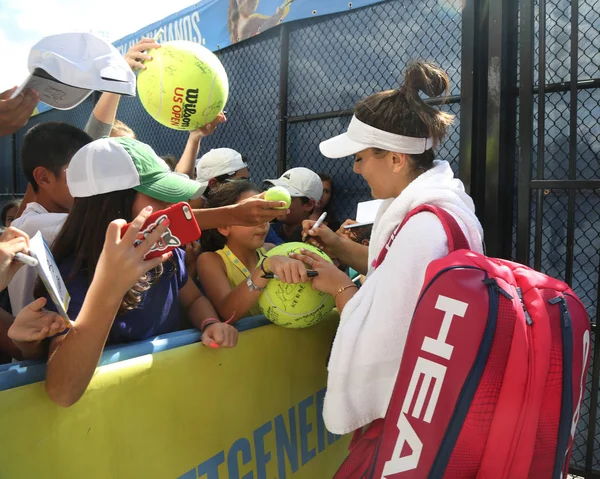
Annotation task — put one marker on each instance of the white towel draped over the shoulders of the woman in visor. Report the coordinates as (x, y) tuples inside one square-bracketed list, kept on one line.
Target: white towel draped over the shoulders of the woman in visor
[(374, 325)]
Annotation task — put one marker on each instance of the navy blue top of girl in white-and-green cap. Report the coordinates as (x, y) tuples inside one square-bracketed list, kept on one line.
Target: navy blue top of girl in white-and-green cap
[(158, 312)]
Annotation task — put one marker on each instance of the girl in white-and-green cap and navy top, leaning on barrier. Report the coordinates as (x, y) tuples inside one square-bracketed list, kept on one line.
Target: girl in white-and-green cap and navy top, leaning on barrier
[(115, 178)]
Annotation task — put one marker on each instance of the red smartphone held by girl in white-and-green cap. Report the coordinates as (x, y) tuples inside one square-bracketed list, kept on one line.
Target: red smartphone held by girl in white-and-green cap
[(182, 230)]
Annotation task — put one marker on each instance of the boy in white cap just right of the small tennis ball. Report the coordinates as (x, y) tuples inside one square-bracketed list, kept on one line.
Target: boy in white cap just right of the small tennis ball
[(306, 189)]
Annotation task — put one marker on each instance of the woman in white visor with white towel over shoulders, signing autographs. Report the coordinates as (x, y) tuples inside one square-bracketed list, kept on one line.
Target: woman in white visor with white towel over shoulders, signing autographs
[(392, 137)]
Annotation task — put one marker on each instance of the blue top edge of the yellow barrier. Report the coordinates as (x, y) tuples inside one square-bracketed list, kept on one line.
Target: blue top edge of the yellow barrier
[(28, 372)]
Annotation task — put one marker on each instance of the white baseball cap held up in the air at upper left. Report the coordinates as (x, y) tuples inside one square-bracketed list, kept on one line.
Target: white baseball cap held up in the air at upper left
[(66, 68)]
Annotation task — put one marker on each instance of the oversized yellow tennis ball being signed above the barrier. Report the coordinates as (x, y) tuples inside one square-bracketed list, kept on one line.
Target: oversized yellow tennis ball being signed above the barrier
[(294, 305)]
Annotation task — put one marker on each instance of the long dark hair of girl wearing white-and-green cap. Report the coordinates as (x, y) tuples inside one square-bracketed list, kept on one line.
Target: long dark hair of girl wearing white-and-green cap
[(82, 239)]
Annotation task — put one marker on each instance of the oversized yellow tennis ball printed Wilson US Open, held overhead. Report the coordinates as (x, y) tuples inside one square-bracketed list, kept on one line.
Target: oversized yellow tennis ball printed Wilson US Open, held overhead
[(184, 86)]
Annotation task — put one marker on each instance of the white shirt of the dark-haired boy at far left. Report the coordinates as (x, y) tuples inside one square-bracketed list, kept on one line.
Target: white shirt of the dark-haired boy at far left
[(35, 218)]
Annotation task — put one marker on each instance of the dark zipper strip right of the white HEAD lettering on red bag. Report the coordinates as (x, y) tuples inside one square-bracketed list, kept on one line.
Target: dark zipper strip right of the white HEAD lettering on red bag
[(465, 398)]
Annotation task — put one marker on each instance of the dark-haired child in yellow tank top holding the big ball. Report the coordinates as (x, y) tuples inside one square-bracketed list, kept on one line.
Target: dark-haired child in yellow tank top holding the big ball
[(230, 269)]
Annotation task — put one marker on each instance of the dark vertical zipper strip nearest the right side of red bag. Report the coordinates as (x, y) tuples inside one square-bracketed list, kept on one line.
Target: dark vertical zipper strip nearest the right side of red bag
[(566, 410)]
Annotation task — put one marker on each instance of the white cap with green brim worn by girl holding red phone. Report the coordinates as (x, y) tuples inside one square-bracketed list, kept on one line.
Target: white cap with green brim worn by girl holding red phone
[(116, 164)]
